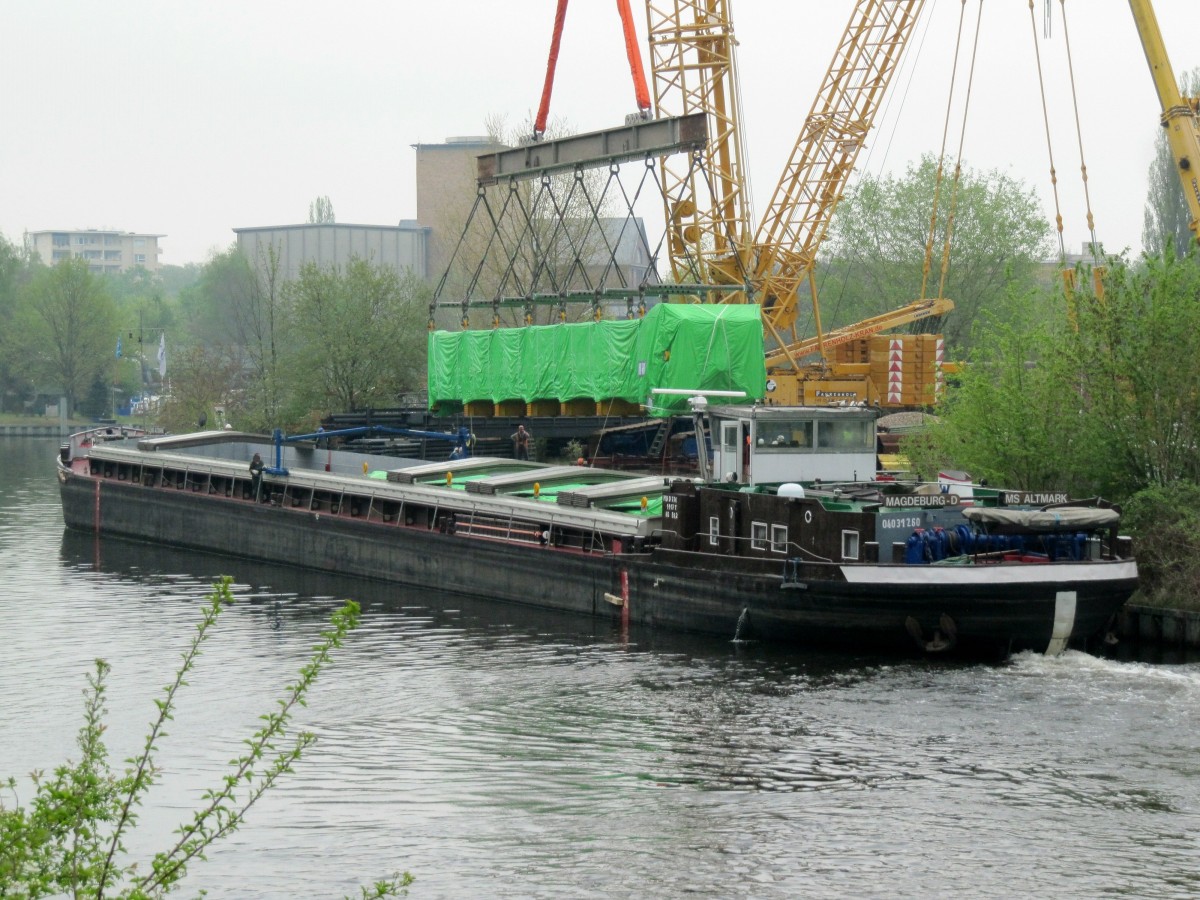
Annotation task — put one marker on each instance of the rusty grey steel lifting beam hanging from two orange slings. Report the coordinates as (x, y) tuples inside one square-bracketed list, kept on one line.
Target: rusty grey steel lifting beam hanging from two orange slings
[(639, 141)]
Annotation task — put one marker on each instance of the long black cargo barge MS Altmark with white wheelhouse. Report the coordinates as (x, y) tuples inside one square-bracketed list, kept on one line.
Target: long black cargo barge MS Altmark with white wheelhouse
[(787, 538)]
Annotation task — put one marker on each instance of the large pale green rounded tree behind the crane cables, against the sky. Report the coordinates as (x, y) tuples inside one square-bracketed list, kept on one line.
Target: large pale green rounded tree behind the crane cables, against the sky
[(879, 237)]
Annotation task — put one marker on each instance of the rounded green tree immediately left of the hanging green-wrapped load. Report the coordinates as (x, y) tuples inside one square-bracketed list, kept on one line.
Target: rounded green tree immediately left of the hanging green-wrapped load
[(362, 335)]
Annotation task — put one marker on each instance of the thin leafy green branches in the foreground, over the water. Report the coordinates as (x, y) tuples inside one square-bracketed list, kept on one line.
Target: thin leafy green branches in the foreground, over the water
[(71, 839)]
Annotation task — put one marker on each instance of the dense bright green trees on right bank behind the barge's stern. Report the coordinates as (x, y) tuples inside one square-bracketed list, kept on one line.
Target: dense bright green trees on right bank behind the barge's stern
[(1111, 405)]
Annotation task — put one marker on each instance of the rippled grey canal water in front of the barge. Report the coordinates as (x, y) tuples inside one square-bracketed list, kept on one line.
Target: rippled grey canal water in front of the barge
[(496, 752)]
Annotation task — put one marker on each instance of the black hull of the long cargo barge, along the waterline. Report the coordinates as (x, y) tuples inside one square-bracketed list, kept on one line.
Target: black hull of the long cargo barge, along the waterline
[(724, 596)]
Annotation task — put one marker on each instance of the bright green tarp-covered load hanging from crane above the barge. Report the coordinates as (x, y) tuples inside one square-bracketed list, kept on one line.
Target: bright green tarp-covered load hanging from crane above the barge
[(688, 346)]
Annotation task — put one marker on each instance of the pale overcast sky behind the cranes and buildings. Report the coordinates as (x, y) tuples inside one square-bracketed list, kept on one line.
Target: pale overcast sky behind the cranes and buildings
[(191, 119)]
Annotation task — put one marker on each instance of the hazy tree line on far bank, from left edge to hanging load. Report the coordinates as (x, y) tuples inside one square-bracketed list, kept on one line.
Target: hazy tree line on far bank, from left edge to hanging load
[(241, 339)]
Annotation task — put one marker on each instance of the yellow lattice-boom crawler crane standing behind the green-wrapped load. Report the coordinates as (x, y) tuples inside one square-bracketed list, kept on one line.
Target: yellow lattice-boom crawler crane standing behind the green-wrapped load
[(693, 59)]
